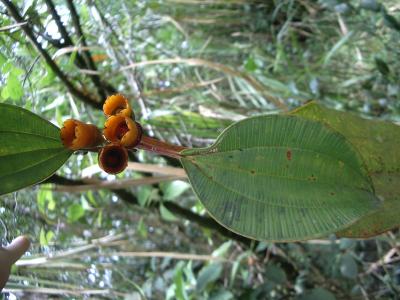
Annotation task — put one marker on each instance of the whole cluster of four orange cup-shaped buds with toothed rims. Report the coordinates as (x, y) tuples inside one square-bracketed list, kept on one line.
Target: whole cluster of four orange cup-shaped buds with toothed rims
[(120, 130)]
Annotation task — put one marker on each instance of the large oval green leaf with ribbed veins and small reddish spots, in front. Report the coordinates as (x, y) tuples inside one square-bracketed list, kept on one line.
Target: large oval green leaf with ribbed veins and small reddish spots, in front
[(281, 178)]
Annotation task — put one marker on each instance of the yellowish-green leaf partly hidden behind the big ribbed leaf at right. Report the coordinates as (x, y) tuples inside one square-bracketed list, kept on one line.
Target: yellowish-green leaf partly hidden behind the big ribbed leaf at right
[(379, 145)]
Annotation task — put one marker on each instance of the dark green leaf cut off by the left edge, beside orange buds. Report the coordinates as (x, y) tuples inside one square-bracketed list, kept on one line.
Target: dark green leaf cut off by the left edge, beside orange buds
[(30, 149)]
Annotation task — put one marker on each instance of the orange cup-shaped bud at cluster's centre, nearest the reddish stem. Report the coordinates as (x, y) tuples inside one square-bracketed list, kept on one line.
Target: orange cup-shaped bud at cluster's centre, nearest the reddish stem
[(120, 129)]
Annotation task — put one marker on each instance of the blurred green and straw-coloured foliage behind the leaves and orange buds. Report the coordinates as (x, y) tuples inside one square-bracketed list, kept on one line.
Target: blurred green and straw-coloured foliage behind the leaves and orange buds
[(191, 68)]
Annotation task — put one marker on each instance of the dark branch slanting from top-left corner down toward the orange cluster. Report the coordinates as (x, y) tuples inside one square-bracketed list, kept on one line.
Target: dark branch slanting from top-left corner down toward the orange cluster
[(29, 33)]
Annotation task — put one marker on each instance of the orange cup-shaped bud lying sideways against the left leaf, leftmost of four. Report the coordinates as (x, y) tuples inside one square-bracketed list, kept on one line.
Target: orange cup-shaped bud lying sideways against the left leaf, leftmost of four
[(77, 135)]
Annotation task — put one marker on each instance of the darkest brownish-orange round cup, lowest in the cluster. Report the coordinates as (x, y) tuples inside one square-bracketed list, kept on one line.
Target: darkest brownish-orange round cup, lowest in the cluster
[(113, 158)]
